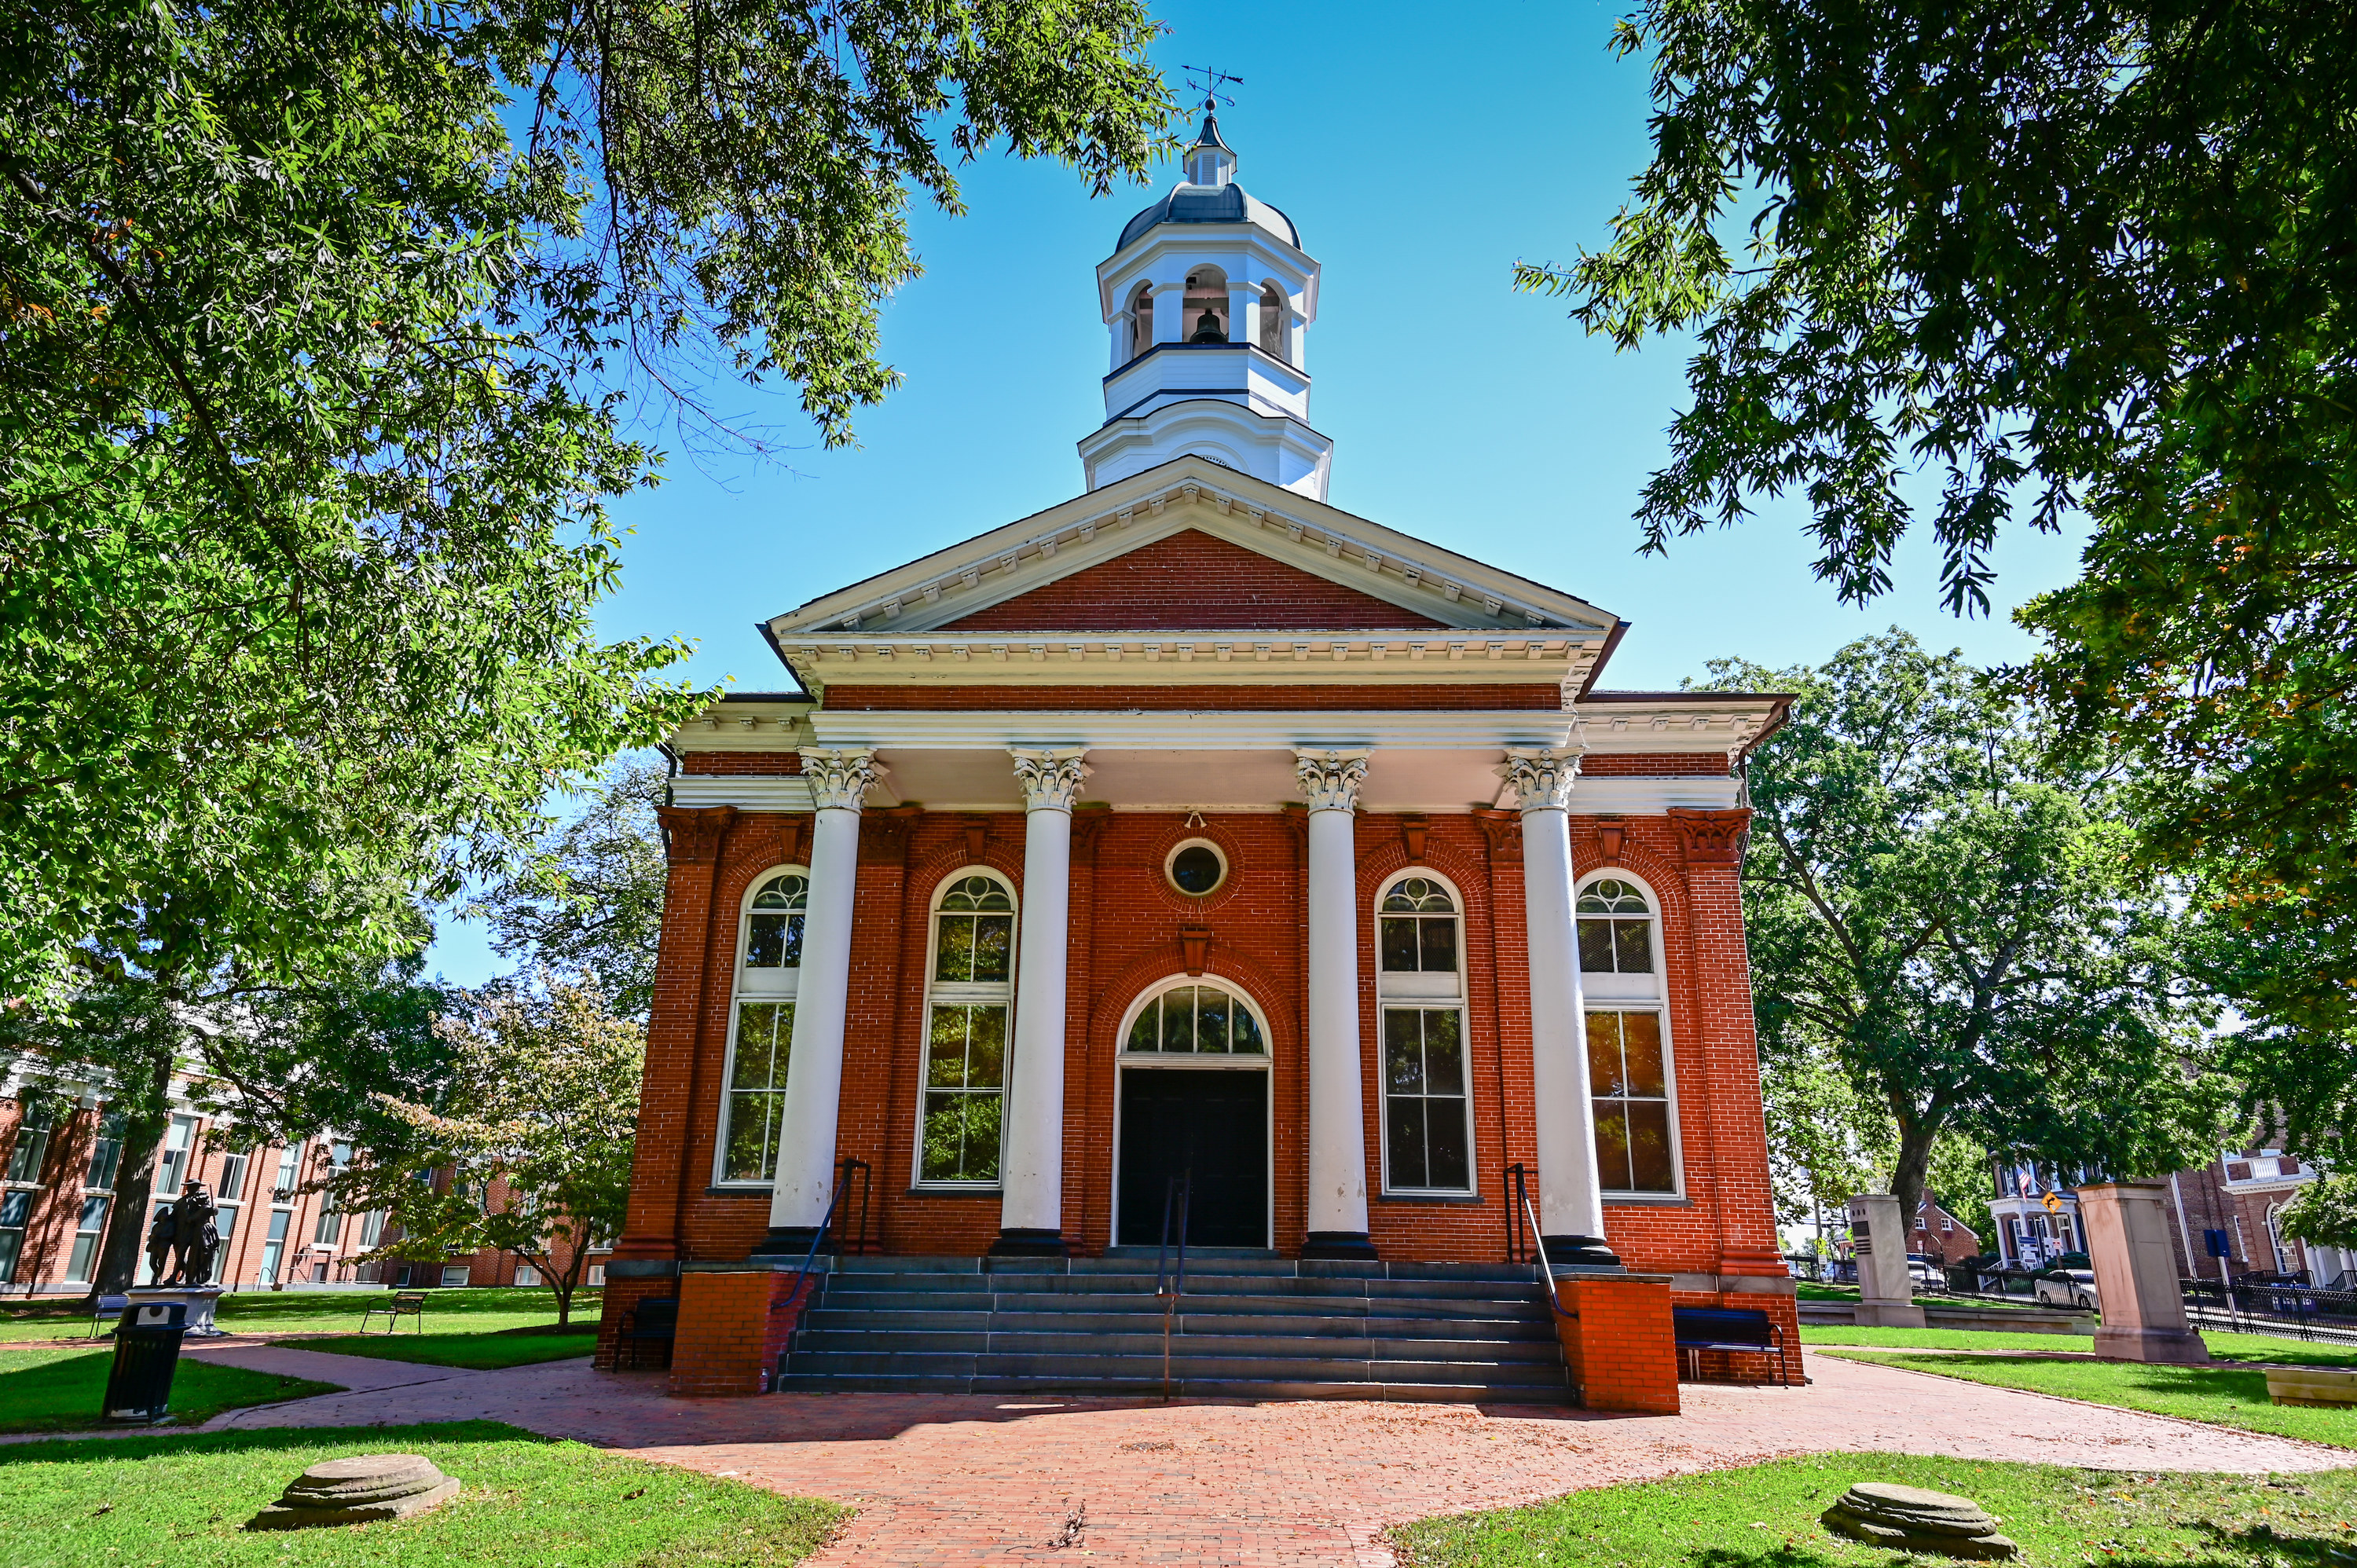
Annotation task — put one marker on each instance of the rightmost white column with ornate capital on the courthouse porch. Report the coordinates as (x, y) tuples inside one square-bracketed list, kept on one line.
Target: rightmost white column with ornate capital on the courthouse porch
[(1571, 1197)]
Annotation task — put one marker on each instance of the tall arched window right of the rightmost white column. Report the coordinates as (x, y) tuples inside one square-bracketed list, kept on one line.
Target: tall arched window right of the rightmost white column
[(1630, 1067)]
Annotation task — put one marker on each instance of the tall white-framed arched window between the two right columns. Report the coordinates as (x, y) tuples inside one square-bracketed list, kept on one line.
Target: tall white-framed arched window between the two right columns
[(1427, 1081)]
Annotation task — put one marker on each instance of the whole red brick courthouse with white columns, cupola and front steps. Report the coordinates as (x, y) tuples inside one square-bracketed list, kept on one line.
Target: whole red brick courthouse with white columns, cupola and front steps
[(1201, 838)]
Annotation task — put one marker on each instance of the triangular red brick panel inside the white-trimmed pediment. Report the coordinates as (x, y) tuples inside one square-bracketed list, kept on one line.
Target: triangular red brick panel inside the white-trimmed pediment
[(1191, 581)]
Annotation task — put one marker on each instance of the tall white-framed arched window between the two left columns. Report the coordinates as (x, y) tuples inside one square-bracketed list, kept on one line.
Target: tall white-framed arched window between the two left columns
[(965, 1058)]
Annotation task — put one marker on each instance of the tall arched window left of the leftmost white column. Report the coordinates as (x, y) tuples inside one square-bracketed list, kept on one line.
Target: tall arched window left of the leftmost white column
[(762, 1027)]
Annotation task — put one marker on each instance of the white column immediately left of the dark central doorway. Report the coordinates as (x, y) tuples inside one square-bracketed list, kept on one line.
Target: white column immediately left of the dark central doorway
[(1031, 1159)]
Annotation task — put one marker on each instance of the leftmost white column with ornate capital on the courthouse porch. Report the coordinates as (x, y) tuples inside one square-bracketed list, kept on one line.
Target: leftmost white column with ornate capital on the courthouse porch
[(814, 1079)]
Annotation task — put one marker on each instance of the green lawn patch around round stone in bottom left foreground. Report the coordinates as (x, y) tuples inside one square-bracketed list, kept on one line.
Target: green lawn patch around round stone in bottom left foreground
[(527, 1501)]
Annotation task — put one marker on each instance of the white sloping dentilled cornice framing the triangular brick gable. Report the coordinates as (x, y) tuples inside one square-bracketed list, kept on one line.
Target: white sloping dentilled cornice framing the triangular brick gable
[(1194, 494)]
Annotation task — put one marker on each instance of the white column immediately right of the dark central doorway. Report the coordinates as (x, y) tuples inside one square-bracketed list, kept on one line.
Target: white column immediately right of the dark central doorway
[(1338, 1206)]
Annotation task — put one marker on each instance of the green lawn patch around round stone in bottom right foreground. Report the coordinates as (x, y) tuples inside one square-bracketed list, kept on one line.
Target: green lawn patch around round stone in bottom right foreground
[(1767, 1517)]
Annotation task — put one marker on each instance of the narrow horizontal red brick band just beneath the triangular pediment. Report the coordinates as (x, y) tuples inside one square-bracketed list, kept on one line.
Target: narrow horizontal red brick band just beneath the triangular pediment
[(1545, 697)]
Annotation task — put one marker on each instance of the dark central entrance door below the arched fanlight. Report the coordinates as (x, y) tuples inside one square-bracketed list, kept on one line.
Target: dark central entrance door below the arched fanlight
[(1213, 1124)]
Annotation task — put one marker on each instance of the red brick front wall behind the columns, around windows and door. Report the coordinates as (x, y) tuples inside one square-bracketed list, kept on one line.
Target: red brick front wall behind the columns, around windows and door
[(1125, 937)]
